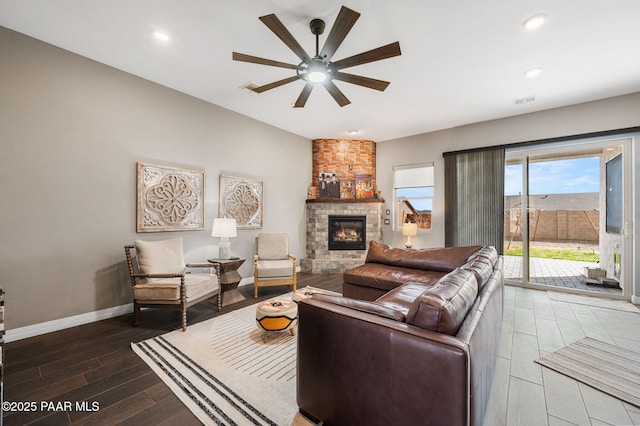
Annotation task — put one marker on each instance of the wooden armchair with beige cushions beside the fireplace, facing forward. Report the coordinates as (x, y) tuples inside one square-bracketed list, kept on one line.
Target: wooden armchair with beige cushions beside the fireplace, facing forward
[(273, 264)]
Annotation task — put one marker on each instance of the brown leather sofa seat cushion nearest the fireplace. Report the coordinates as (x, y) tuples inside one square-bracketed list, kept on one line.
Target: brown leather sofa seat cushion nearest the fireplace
[(387, 278)]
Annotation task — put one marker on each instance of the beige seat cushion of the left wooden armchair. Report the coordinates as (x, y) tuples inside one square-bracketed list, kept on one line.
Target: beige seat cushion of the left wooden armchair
[(167, 290)]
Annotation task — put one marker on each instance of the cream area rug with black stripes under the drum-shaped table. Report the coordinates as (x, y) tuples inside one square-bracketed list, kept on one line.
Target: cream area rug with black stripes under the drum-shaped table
[(225, 374)]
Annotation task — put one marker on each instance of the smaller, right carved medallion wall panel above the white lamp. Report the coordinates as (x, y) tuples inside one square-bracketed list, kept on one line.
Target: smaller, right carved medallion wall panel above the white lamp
[(241, 199)]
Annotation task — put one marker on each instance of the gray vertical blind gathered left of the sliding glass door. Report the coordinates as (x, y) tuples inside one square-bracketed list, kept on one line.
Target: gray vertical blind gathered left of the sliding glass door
[(474, 198)]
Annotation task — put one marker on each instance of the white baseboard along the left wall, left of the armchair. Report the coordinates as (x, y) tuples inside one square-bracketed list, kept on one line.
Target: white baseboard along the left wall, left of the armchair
[(62, 323)]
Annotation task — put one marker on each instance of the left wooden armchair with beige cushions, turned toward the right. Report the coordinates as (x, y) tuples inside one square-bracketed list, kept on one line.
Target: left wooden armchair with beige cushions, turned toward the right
[(160, 279)]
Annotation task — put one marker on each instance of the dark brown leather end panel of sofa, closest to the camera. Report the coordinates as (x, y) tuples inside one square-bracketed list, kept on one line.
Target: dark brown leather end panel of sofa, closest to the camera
[(356, 367)]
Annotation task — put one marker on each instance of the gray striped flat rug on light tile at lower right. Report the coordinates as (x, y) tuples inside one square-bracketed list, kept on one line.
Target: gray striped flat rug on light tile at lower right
[(610, 369)]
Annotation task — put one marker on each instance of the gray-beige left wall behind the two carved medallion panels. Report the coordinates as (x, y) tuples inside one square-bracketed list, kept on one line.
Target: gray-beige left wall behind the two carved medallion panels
[(71, 132)]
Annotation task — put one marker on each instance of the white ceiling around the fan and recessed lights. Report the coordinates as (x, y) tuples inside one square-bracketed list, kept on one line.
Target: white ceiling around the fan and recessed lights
[(463, 61)]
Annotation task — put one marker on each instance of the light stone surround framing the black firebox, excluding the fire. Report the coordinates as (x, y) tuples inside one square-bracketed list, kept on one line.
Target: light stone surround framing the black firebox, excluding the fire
[(322, 260)]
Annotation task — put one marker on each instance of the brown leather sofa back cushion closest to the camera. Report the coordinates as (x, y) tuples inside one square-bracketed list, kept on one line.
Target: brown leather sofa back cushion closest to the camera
[(443, 307)]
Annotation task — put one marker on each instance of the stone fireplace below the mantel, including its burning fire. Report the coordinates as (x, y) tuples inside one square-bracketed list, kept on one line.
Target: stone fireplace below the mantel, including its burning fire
[(320, 258)]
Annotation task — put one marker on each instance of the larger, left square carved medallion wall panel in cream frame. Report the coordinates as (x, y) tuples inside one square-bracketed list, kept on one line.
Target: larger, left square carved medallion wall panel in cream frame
[(169, 199)]
